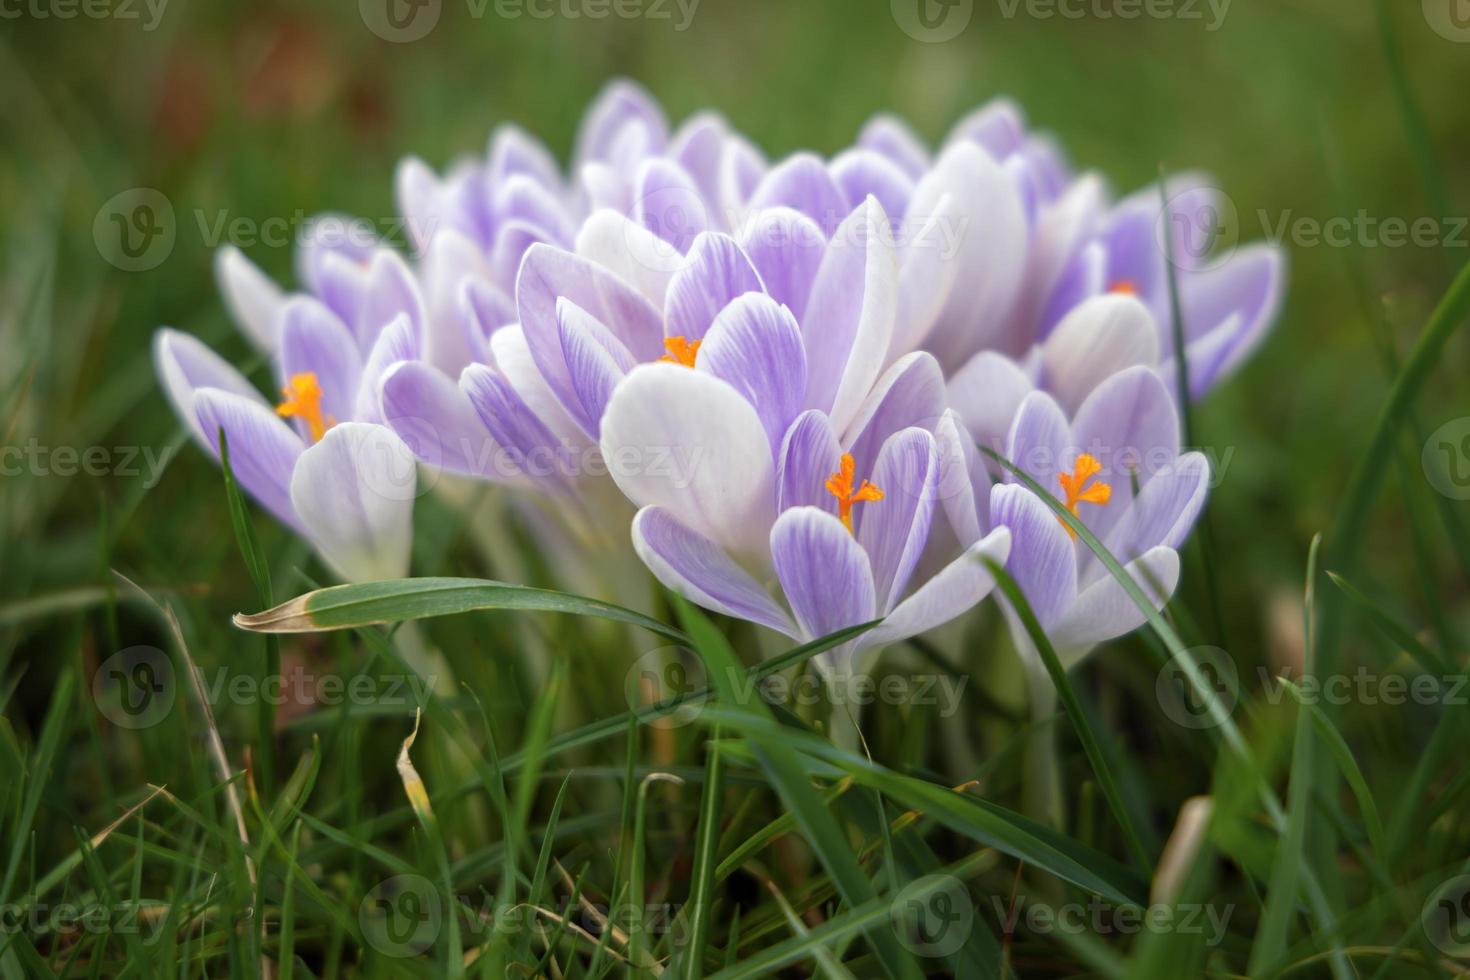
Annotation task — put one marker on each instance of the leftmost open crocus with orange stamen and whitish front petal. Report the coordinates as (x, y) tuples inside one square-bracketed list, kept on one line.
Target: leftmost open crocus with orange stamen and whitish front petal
[(315, 459)]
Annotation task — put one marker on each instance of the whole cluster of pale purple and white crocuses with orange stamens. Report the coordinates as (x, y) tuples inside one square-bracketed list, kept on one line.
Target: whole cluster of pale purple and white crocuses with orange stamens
[(786, 371)]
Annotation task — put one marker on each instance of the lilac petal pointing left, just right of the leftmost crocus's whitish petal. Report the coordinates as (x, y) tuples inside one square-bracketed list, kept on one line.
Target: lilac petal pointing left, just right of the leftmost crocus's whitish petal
[(430, 412)]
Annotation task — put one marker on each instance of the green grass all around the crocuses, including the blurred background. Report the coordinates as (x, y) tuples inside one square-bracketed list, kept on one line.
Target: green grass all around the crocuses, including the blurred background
[(598, 794)]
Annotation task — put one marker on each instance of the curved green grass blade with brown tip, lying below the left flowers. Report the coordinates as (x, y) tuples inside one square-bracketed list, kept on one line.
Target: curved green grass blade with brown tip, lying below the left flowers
[(402, 600)]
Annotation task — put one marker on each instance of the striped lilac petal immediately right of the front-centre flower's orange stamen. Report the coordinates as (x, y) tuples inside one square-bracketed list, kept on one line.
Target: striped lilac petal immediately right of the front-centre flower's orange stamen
[(894, 530)]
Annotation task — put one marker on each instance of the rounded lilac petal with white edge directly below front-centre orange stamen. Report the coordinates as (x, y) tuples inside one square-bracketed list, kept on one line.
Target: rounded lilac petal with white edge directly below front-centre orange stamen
[(822, 571)]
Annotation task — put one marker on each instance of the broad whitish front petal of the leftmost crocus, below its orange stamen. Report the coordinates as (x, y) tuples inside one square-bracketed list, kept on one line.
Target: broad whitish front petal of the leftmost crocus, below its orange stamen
[(354, 493)]
